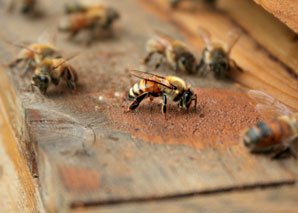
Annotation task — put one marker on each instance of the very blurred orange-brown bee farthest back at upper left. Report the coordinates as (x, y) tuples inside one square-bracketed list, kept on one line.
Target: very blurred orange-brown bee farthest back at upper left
[(93, 19)]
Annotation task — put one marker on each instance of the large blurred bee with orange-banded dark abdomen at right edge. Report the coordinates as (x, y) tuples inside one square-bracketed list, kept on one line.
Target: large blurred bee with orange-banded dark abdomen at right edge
[(276, 135)]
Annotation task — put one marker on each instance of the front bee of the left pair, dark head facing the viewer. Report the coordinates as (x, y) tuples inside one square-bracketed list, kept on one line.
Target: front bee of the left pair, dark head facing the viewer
[(50, 71)]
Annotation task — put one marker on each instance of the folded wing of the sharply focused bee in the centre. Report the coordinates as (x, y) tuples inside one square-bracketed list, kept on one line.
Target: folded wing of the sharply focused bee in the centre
[(152, 77)]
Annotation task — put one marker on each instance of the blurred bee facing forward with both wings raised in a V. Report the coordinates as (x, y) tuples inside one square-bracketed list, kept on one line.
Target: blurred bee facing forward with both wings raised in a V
[(215, 57)]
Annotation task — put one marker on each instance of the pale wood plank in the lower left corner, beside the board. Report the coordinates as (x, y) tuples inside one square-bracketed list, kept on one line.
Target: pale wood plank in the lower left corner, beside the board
[(18, 191)]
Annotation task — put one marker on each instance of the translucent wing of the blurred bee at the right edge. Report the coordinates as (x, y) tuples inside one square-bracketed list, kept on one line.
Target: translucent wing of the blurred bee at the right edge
[(268, 105)]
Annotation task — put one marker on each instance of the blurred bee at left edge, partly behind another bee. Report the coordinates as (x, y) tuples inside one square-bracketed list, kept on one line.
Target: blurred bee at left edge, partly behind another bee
[(33, 54)]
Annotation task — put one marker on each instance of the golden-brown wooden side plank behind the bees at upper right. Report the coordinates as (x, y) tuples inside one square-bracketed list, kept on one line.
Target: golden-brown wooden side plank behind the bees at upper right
[(262, 69)]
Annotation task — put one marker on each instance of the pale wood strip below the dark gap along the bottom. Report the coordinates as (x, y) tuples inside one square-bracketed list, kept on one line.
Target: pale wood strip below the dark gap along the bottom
[(260, 200)]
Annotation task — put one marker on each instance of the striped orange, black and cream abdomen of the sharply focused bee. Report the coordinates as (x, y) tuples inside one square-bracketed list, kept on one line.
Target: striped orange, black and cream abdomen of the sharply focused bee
[(142, 87)]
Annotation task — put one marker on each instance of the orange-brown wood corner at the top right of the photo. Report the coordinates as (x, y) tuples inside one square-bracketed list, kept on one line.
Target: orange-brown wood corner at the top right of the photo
[(285, 11)]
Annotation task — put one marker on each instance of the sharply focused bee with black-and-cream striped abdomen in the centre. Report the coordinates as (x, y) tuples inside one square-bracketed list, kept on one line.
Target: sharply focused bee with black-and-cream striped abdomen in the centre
[(170, 87)]
